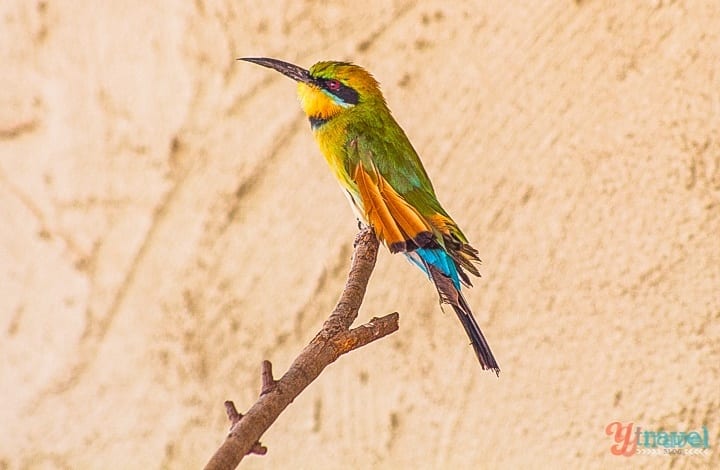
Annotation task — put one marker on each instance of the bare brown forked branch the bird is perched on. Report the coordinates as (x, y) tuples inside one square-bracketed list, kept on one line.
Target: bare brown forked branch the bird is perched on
[(332, 341)]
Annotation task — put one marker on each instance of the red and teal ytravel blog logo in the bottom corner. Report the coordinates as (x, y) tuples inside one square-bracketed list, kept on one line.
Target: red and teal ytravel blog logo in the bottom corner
[(630, 440)]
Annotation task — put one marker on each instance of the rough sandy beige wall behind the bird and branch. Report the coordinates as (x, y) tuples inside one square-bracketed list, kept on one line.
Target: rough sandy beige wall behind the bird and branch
[(167, 224)]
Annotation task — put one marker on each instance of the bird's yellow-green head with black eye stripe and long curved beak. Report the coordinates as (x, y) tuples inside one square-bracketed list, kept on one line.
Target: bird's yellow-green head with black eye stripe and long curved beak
[(329, 88)]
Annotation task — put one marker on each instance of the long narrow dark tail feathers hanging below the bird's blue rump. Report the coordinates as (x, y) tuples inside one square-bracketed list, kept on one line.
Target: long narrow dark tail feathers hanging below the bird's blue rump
[(450, 294)]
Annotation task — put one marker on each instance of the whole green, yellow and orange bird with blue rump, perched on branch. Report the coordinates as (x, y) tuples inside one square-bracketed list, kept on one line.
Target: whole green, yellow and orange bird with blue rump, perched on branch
[(382, 176)]
